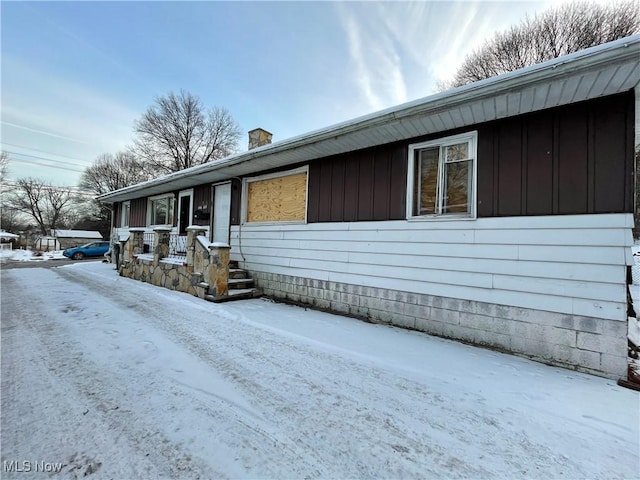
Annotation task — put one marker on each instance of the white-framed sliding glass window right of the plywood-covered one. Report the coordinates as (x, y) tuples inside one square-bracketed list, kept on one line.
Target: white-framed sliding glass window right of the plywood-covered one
[(442, 177)]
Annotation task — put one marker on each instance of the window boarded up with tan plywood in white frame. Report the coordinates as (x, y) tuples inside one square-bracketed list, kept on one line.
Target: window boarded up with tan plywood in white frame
[(277, 199)]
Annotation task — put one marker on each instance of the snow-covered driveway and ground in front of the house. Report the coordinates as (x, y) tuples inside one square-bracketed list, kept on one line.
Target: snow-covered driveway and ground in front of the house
[(120, 379)]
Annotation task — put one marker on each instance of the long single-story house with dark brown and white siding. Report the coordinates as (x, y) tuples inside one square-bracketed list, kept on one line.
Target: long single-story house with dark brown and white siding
[(499, 213)]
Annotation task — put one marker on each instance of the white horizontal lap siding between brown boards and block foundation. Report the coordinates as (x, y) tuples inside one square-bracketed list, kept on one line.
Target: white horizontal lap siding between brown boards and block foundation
[(566, 264)]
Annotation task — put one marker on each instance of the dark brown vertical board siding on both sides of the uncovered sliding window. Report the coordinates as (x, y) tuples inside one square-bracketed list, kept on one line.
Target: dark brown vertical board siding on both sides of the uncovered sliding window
[(567, 160)]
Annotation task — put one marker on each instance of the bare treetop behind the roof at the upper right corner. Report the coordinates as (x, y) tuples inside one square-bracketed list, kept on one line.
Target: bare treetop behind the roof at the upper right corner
[(556, 32)]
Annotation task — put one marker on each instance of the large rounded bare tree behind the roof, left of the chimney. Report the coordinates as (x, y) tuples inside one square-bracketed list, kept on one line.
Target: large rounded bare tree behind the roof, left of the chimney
[(176, 133)]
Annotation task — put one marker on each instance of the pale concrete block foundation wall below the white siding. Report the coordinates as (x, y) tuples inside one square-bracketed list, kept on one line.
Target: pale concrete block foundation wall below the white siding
[(581, 343)]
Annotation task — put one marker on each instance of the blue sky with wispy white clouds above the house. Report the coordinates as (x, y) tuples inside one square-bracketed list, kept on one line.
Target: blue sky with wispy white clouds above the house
[(76, 75)]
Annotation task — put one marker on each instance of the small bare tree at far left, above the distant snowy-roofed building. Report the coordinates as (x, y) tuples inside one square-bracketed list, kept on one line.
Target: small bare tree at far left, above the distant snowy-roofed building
[(46, 204)]
